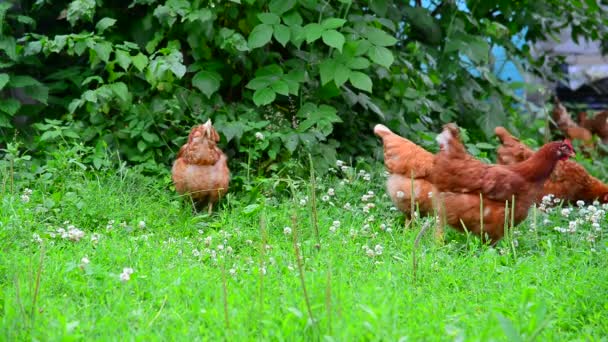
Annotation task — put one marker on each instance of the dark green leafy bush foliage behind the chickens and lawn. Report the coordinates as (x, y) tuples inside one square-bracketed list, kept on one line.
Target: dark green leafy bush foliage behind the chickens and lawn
[(312, 76)]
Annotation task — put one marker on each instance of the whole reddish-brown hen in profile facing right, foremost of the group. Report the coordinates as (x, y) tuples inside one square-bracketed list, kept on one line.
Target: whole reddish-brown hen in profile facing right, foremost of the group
[(459, 180)]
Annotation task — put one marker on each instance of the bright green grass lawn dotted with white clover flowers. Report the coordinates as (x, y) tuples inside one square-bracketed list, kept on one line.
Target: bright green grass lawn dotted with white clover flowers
[(234, 274)]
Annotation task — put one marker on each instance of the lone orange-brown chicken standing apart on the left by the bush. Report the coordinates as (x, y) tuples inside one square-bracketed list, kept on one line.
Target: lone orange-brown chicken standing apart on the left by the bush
[(201, 169)]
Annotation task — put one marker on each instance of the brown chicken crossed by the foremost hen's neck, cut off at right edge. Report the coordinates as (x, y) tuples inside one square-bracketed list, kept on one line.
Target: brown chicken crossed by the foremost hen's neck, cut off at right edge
[(569, 181)]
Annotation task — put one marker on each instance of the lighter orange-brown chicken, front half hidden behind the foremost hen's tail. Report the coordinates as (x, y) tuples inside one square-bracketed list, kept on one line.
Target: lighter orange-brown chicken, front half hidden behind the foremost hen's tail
[(405, 161)]
